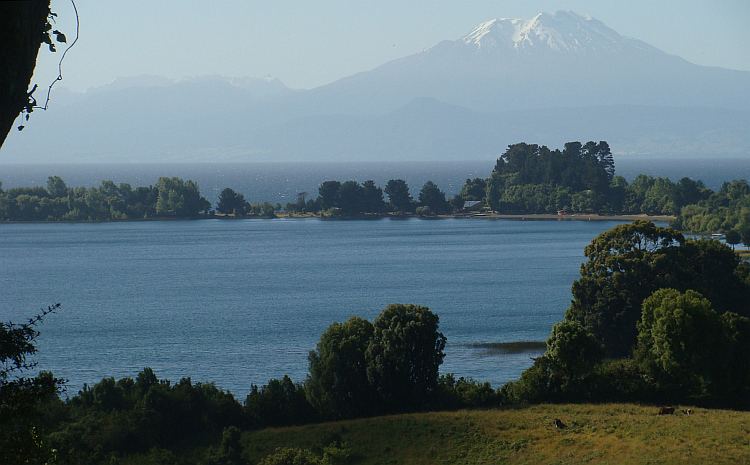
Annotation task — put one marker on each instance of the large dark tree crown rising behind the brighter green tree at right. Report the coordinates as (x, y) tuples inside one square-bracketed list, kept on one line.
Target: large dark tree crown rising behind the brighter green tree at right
[(629, 262)]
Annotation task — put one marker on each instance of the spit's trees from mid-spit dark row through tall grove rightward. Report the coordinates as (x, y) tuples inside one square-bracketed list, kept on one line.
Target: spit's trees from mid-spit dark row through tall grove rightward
[(527, 178)]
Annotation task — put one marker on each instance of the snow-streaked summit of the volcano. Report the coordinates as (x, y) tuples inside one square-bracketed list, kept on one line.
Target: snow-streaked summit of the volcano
[(561, 31)]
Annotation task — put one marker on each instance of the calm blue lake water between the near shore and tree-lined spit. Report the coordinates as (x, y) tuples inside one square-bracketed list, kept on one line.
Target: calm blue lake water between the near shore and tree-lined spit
[(238, 302)]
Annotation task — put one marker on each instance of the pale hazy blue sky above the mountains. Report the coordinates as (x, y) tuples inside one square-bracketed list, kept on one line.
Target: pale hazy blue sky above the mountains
[(307, 43)]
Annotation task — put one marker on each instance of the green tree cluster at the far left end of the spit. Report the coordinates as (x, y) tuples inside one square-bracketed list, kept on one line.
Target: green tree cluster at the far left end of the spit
[(169, 198)]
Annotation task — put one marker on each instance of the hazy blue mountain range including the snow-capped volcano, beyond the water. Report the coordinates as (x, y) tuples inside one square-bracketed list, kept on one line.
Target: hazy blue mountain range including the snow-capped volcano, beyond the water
[(551, 79)]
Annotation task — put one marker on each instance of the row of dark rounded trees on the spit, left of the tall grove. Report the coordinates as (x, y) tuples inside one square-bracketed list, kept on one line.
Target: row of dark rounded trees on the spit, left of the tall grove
[(352, 199)]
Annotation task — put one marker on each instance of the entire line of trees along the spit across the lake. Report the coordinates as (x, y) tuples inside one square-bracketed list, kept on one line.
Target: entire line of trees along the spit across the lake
[(578, 181)]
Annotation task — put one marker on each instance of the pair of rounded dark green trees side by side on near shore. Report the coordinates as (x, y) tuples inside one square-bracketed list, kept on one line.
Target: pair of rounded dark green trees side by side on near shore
[(389, 366)]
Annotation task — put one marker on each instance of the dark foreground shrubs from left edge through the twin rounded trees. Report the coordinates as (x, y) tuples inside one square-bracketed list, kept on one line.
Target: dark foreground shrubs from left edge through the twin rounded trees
[(389, 366)]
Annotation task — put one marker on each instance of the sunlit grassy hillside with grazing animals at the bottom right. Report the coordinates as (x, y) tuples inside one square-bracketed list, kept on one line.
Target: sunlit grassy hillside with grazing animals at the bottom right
[(610, 433)]
